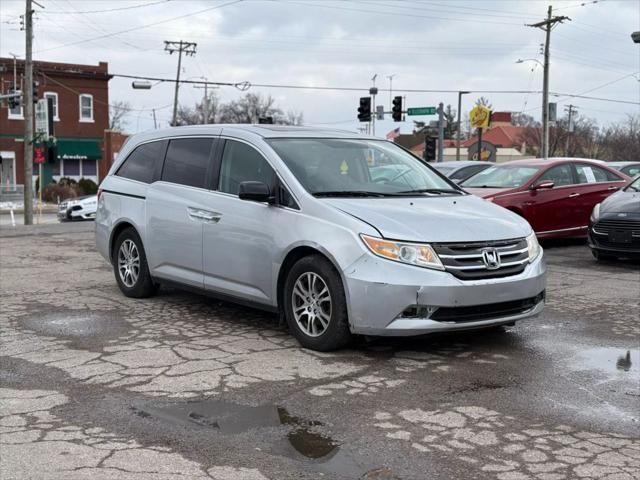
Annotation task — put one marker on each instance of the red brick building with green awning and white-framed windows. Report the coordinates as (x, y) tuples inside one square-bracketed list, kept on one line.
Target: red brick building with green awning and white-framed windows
[(80, 96)]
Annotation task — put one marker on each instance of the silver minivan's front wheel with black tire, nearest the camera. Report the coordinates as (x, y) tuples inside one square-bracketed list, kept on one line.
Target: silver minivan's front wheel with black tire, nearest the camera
[(315, 305)]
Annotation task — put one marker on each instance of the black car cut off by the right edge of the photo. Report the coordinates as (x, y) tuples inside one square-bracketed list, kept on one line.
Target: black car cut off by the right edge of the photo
[(614, 227)]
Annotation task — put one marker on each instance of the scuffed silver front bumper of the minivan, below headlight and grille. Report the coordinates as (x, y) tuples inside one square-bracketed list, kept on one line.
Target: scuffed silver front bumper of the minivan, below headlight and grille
[(381, 292)]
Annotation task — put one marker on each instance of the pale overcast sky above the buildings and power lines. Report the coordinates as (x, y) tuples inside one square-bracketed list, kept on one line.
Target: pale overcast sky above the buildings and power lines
[(435, 45)]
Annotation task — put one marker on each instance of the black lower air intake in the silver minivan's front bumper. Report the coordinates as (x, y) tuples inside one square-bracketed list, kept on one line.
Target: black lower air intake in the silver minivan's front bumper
[(485, 312)]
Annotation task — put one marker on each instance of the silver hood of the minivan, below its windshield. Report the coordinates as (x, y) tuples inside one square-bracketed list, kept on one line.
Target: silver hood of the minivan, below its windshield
[(435, 219)]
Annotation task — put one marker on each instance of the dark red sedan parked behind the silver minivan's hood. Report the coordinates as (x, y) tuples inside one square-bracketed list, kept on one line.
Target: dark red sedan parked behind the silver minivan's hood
[(556, 196)]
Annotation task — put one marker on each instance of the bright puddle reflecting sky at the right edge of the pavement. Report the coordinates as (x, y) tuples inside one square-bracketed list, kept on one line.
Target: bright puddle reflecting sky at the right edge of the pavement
[(617, 362)]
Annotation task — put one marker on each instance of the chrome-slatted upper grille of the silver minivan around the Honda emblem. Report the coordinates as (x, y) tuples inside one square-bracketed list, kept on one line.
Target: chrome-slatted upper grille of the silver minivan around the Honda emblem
[(465, 260)]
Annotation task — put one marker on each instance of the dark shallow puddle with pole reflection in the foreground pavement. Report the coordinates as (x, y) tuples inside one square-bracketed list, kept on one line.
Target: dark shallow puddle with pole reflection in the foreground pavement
[(304, 441)]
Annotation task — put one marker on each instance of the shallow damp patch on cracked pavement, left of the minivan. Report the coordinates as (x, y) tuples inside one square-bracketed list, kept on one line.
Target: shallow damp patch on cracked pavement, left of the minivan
[(76, 323)]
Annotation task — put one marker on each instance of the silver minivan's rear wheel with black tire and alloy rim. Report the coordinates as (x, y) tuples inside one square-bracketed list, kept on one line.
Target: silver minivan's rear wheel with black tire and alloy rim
[(130, 266)]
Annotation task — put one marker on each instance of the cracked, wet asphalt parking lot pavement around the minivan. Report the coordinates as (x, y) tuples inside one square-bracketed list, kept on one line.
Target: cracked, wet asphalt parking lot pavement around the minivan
[(98, 386)]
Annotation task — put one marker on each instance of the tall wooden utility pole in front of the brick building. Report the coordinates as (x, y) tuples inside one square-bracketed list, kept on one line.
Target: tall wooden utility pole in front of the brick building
[(27, 106)]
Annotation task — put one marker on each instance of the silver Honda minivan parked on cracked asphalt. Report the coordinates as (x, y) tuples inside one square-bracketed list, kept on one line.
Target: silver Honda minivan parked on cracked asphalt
[(341, 233)]
